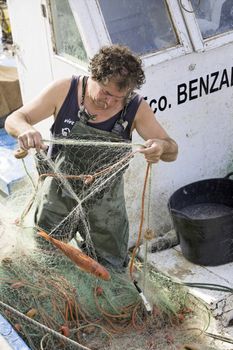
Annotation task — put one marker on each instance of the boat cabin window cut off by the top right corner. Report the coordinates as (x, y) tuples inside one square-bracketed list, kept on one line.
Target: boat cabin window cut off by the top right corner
[(214, 16)]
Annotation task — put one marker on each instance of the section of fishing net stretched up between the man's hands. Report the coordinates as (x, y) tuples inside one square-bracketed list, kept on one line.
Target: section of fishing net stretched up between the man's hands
[(84, 177)]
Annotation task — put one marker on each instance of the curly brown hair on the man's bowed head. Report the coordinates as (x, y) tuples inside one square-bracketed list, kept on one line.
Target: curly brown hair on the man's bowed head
[(117, 63)]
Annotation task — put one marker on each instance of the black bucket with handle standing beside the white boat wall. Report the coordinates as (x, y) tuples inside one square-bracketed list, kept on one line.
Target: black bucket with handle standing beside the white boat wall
[(202, 214)]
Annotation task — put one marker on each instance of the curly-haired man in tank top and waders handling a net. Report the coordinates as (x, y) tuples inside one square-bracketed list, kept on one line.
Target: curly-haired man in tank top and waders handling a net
[(102, 106)]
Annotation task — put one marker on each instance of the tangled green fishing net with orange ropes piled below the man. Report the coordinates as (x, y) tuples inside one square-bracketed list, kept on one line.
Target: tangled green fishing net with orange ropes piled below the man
[(98, 314)]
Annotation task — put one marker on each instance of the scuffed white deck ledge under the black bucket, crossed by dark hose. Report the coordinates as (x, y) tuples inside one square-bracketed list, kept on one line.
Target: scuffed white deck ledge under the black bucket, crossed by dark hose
[(172, 263)]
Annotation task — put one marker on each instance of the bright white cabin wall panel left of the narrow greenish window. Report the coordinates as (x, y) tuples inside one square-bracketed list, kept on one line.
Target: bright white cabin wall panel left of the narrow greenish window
[(30, 40)]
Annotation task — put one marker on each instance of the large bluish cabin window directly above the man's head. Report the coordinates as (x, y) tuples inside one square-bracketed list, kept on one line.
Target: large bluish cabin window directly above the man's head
[(144, 26)]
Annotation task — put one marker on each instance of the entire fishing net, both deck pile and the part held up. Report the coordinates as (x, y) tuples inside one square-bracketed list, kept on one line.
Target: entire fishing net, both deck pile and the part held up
[(52, 303)]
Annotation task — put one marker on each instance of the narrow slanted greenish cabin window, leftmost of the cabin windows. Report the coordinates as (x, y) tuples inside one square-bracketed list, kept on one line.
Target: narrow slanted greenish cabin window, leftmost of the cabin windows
[(67, 39)]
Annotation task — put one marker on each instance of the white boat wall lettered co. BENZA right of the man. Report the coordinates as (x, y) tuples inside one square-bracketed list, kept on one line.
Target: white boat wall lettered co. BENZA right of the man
[(202, 128)]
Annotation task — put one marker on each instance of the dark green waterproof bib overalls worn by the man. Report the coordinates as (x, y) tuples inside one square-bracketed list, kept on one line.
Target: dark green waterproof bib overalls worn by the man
[(105, 211)]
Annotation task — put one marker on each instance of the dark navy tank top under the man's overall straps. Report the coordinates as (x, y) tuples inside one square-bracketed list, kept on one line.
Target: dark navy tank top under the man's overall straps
[(68, 115)]
